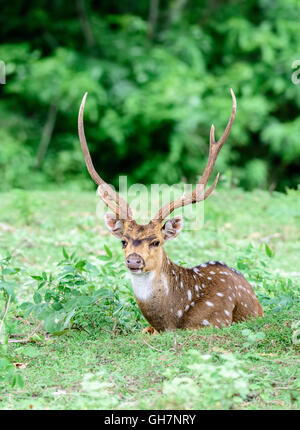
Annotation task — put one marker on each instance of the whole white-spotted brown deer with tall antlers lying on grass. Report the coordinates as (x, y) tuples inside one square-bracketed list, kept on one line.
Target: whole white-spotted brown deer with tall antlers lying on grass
[(170, 296)]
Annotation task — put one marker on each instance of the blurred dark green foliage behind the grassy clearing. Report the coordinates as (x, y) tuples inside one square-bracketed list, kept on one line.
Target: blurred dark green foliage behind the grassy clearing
[(158, 73)]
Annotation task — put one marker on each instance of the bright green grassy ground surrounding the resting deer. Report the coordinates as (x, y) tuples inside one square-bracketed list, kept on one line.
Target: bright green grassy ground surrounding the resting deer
[(252, 365)]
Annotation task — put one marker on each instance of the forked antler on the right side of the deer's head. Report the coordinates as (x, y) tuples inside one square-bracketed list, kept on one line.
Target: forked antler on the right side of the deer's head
[(198, 193)]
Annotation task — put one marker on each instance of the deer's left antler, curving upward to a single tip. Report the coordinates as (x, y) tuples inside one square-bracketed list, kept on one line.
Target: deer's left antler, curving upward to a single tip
[(112, 199)]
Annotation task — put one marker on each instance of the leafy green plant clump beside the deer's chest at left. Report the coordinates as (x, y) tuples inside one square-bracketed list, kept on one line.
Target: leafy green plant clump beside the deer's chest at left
[(82, 295)]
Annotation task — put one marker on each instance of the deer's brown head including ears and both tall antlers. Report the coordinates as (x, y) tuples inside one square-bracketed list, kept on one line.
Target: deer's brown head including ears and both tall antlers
[(142, 244)]
